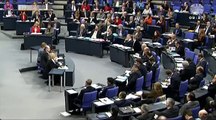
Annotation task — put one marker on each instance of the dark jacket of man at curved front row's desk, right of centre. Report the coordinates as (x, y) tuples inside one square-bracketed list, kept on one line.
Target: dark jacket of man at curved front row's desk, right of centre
[(132, 80)]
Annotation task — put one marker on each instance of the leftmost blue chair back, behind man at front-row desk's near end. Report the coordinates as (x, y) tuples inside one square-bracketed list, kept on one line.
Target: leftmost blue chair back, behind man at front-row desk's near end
[(88, 98)]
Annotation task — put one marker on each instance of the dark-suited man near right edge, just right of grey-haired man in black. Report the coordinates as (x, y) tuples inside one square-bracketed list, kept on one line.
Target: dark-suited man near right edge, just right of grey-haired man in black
[(194, 82)]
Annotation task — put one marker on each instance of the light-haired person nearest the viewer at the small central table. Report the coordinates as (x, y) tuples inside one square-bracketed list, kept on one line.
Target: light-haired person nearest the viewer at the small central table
[(52, 63)]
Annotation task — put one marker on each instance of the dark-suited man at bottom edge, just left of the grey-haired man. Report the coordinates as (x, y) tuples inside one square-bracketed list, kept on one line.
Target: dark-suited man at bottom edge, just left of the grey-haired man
[(145, 114)]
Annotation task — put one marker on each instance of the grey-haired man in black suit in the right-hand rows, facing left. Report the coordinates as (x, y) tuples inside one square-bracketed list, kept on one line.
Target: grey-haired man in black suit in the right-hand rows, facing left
[(185, 73)]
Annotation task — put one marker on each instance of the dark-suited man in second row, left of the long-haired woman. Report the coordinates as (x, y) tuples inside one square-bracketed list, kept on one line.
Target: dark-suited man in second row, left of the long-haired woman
[(122, 102)]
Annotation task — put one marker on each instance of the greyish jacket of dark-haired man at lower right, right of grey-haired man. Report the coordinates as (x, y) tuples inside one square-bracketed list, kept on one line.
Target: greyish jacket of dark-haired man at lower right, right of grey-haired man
[(188, 106)]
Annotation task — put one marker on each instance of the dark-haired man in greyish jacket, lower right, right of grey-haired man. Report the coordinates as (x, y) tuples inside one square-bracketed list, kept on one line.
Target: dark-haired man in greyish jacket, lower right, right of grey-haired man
[(191, 103)]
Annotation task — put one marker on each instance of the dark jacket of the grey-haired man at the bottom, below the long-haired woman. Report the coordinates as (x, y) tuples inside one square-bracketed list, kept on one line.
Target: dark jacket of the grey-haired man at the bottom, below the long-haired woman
[(170, 113)]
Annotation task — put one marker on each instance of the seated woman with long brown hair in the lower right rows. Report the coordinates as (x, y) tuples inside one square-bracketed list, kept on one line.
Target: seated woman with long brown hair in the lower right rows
[(154, 94)]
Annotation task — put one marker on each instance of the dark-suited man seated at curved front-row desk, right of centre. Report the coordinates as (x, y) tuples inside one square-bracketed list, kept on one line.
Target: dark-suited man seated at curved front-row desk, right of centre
[(134, 75)]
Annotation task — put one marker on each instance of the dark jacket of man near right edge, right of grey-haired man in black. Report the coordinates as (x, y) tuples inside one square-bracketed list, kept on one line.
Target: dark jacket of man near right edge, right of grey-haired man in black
[(194, 83)]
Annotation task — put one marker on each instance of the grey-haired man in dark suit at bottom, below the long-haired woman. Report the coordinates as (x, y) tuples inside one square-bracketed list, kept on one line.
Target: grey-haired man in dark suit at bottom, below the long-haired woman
[(171, 111)]
